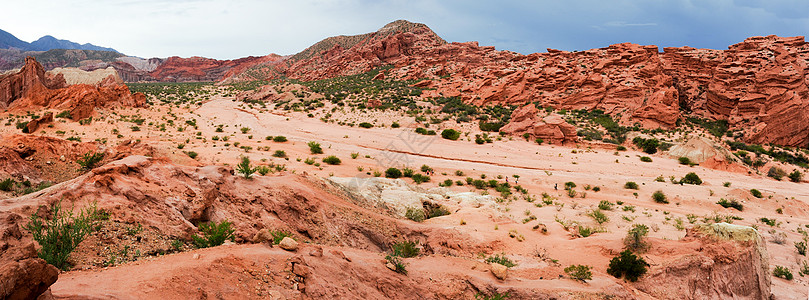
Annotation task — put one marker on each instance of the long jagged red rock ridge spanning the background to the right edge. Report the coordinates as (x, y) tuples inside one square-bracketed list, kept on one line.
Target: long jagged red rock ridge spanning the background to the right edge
[(759, 85)]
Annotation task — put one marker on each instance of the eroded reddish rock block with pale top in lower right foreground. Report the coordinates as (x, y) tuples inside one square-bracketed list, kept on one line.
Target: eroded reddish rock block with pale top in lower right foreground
[(716, 261)]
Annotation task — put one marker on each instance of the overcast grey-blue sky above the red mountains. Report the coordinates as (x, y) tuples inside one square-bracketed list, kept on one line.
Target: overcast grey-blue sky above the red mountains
[(227, 29)]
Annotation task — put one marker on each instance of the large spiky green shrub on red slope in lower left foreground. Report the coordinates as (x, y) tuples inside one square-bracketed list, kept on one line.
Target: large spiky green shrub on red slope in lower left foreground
[(60, 235)]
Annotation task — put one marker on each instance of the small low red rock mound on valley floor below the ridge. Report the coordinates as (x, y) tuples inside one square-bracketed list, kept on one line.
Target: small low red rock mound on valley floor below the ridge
[(551, 128)]
